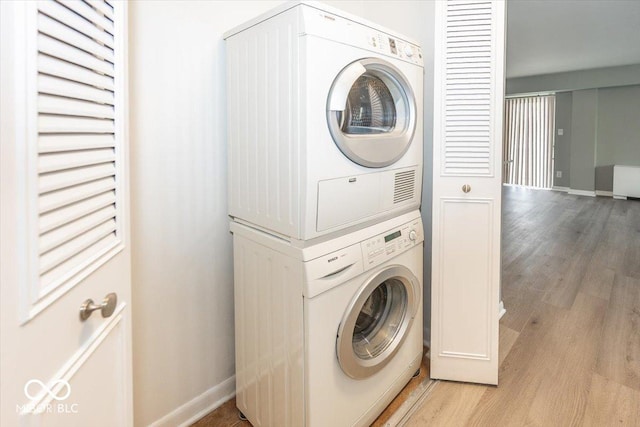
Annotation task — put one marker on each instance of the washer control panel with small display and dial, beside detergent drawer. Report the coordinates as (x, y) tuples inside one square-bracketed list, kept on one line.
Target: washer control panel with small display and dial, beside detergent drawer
[(387, 245)]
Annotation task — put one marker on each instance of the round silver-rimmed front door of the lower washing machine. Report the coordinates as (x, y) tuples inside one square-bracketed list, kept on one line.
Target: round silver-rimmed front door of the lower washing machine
[(377, 321)]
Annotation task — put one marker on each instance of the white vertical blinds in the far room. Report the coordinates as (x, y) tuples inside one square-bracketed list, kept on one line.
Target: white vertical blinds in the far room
[(528, 143)]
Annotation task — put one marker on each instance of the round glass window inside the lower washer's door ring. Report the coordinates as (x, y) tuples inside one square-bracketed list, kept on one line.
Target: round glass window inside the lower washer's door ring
[(380, 319)]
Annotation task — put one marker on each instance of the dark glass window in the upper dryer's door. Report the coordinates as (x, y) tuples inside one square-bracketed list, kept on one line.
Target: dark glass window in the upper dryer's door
[(370, 108)]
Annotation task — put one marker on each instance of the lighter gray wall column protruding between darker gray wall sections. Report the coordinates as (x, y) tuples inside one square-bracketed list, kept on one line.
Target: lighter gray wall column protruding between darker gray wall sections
[(584, 115)]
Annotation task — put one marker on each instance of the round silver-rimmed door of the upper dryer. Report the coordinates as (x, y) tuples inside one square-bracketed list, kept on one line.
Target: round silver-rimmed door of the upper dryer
[(371, 112)]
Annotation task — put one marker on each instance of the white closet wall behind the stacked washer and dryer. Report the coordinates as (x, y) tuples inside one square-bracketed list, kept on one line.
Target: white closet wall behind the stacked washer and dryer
[(182, 261)]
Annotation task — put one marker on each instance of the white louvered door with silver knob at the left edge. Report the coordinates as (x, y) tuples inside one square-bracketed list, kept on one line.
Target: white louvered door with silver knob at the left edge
[(64, 214)]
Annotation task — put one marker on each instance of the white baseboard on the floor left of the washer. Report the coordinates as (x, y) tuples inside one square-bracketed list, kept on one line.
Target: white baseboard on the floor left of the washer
[(199, 406)]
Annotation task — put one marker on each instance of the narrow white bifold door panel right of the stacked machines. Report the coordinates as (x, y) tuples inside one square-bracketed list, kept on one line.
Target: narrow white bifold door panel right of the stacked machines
[(469, 90)]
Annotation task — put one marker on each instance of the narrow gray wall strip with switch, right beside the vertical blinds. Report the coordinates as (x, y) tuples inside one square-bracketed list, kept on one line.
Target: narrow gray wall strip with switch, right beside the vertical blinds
[(562, 146)]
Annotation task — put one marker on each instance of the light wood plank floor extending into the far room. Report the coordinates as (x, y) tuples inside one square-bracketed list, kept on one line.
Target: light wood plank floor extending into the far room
[(570, 340)]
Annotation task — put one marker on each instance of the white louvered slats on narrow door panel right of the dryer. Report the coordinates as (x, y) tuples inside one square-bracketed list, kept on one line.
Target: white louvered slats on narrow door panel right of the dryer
[(468, 89)]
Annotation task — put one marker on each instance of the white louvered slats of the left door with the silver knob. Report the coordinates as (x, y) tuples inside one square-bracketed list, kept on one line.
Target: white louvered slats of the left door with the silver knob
[(77, 185)]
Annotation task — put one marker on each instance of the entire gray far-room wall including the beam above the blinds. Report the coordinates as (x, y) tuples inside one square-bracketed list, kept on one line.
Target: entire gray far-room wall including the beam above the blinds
[(601, 124)]
